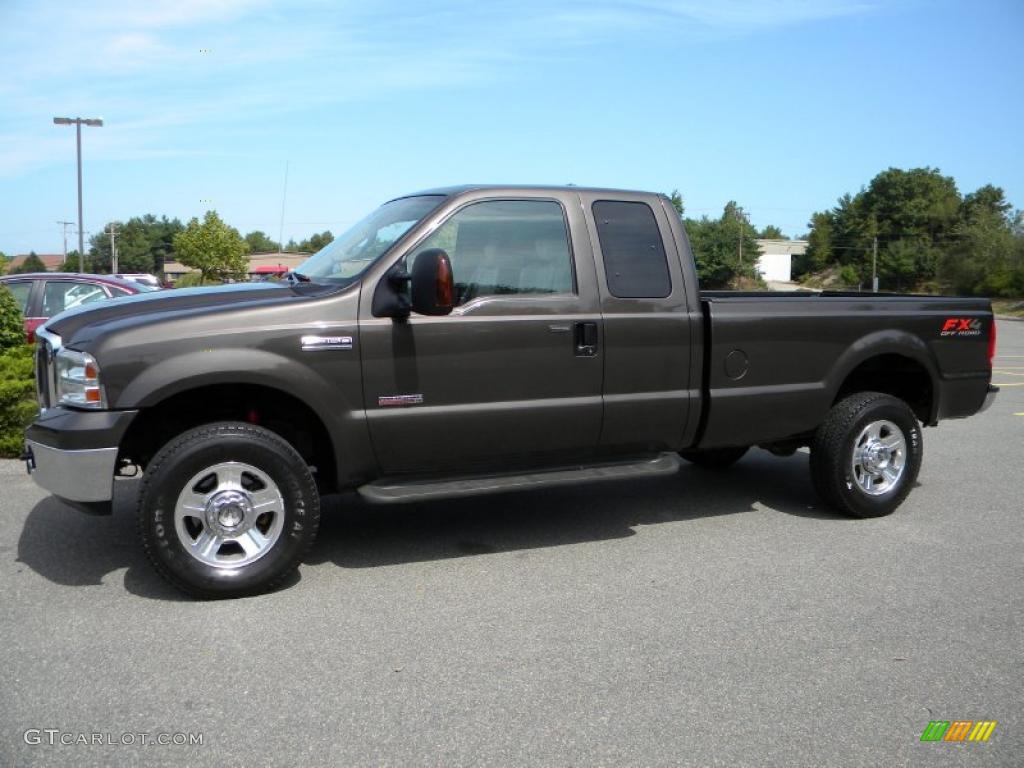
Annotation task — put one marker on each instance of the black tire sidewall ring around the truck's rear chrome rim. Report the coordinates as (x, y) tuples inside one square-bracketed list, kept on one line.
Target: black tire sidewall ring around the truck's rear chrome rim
[(877, 506)]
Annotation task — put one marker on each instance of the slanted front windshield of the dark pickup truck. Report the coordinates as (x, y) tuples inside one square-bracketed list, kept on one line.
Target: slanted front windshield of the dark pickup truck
[(345, 259)]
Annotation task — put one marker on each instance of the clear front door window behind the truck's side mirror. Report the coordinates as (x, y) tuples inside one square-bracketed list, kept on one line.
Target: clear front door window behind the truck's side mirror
[(506, 247)]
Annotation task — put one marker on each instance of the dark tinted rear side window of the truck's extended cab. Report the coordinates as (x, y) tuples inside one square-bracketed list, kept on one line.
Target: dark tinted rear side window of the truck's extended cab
[(635, 266)]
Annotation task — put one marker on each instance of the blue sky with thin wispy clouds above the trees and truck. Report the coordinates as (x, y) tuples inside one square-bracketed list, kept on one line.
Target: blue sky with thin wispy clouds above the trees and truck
[(783, 106)]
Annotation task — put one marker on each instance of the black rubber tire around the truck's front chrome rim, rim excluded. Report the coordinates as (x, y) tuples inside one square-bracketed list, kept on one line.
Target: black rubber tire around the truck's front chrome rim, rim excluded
[(268, 454)]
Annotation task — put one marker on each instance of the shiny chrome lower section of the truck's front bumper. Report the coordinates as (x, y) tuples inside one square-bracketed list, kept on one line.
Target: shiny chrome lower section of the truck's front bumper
[(75, 476)]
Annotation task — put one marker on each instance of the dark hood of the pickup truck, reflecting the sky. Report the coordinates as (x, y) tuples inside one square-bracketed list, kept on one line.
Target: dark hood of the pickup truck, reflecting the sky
[(82, 325)]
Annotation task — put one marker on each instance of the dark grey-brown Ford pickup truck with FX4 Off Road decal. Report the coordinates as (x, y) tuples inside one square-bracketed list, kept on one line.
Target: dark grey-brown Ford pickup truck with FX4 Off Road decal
[(473, 340)]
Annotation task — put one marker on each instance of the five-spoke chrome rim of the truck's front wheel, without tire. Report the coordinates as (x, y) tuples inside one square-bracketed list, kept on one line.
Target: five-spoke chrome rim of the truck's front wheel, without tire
[(230, 516)]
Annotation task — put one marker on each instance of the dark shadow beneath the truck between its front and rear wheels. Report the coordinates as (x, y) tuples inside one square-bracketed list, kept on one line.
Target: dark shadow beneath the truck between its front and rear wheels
[(358, 535)]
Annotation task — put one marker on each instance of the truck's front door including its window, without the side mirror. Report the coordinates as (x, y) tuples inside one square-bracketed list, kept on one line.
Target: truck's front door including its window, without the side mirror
[(513, 376)]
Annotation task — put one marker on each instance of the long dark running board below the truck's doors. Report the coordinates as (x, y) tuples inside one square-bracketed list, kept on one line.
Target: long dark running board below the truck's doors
[(397, 492)]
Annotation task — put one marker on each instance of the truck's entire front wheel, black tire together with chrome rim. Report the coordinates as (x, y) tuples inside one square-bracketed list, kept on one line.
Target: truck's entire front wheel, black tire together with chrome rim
[(271, 476)]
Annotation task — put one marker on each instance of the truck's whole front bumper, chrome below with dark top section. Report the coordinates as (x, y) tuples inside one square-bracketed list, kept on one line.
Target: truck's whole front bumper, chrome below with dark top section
[(74, 454)]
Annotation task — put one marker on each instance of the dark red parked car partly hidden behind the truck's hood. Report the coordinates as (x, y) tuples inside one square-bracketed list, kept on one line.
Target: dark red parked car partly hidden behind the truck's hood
[(41, 295)]
